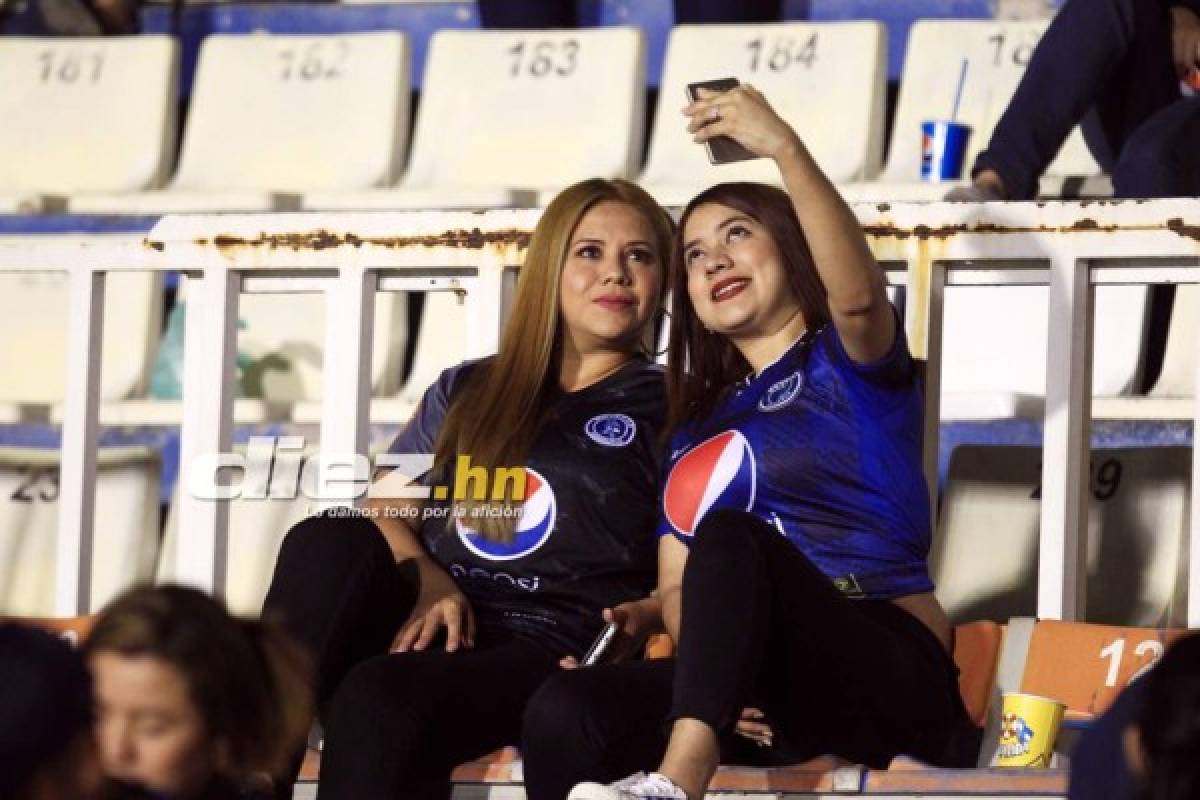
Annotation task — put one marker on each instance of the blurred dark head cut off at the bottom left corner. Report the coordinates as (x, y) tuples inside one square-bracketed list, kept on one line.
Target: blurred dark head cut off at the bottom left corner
[(46, 715)]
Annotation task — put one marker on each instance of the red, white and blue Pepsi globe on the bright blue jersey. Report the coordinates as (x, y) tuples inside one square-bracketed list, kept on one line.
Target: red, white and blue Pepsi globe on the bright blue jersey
[(719, 473)]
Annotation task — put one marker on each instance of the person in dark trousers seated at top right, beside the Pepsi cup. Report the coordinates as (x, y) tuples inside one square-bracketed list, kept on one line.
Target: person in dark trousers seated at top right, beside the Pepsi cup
[(1118, 67)]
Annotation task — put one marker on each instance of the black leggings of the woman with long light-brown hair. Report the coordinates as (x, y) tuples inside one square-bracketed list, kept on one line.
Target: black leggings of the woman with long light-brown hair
[(395, 725)]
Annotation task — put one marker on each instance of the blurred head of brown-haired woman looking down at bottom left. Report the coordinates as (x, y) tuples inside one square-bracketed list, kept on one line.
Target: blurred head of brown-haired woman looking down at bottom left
[(189, 697)]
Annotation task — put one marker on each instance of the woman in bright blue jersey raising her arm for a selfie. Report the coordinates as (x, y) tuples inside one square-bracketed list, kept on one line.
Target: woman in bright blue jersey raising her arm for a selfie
[(795, 519)]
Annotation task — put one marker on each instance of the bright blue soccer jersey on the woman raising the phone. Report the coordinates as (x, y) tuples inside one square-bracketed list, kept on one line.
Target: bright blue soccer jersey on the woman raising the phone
[(827, 452)]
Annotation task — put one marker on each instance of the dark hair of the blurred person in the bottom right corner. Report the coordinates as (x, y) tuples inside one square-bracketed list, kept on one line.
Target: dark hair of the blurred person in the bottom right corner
[(1169, 725)]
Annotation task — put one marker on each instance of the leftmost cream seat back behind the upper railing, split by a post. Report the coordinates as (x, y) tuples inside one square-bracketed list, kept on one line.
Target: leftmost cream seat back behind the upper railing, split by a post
[(34, 335)]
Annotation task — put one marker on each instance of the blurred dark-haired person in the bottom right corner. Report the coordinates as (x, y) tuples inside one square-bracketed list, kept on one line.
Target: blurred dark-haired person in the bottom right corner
[(1147, 747)]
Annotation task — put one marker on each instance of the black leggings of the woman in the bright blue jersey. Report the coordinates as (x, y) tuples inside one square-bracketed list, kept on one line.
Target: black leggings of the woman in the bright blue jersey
[(761, 627)]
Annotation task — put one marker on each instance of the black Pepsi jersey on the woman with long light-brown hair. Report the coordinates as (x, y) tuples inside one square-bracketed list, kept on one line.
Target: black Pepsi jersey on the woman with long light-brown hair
[(585, 539)]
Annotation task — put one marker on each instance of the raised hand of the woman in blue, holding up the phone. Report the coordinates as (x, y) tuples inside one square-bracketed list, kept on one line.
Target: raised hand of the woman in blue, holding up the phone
[(745, 116)]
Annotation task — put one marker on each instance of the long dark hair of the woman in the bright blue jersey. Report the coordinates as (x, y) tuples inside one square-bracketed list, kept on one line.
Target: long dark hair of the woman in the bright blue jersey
[(703, 365)]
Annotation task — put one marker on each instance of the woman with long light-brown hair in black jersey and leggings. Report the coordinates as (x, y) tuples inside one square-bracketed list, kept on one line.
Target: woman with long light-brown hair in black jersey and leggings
[(477, 605)]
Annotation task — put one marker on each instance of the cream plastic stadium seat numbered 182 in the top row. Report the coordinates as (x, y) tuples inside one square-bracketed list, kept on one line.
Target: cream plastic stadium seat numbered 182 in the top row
[(273, 117)]
